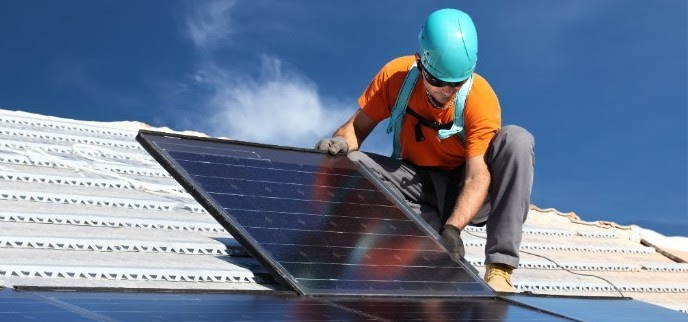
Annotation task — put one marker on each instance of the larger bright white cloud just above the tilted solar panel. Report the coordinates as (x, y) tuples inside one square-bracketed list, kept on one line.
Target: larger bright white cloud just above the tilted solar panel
[(278, 107)]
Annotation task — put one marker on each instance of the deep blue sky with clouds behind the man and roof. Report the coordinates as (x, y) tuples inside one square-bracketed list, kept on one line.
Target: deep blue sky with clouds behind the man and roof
[(601, 84)]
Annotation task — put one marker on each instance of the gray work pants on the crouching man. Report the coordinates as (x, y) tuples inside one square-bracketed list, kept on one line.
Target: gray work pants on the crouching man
[(432, 192)]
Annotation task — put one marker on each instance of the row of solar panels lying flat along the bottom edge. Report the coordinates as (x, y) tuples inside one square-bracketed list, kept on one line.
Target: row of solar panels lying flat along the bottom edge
[(67, 304)]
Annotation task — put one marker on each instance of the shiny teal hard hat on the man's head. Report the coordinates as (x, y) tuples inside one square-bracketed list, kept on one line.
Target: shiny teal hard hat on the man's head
[(449, 45)]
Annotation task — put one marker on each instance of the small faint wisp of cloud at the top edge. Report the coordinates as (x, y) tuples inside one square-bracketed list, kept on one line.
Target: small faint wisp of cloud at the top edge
[(209, 23)]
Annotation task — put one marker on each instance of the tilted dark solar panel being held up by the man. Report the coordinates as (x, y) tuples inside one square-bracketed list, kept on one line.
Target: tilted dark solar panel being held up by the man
[(318, 222)]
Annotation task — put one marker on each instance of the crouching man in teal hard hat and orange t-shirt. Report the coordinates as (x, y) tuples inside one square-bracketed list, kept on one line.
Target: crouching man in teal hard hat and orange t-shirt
[(452, 161)]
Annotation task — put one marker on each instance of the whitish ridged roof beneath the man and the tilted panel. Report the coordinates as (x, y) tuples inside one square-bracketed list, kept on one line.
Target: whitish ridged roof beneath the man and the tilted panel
[(82, 206)]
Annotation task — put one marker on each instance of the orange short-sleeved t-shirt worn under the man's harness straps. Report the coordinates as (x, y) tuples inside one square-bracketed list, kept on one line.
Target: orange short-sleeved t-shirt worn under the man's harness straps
[(481, 117)]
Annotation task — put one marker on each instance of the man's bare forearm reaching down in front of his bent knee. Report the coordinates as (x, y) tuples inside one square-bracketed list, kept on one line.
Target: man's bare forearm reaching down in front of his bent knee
[(472, 197)]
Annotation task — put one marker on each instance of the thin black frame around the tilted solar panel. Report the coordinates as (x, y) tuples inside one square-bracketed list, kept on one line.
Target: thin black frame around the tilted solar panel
[(280, 274)]
